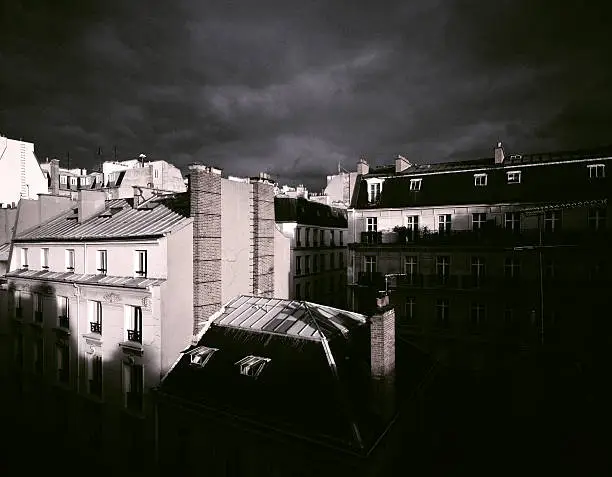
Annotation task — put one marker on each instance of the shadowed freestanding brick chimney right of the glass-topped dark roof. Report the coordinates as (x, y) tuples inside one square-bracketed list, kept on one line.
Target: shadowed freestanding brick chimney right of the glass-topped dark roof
[(382, 358)]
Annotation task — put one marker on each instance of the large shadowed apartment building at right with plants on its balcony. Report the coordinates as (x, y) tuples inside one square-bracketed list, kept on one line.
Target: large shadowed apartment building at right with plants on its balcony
[(508, 250)]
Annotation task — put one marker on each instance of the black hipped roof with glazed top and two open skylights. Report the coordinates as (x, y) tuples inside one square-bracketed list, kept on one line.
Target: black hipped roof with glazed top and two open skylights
[(313, 387)]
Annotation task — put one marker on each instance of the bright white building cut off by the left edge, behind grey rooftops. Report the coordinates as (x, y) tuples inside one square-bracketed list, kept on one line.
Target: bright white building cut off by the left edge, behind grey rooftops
[(20, 174)]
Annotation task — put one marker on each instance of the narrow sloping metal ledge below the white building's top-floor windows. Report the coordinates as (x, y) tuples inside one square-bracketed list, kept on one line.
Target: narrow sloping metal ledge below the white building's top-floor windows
[(86, 279)]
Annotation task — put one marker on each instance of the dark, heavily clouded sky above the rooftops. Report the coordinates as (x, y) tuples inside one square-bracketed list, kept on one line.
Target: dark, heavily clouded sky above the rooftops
[(294, 87)]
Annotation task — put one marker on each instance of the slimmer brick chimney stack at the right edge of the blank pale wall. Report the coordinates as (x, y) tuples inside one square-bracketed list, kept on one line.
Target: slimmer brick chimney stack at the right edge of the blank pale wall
[(263, 236)]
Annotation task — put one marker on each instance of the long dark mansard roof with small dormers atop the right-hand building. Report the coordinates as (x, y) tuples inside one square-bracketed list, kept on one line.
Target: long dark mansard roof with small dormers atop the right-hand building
[(543, 181)]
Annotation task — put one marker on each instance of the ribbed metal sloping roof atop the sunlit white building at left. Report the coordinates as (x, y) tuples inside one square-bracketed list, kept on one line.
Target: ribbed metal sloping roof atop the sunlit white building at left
[(118, 220)]
